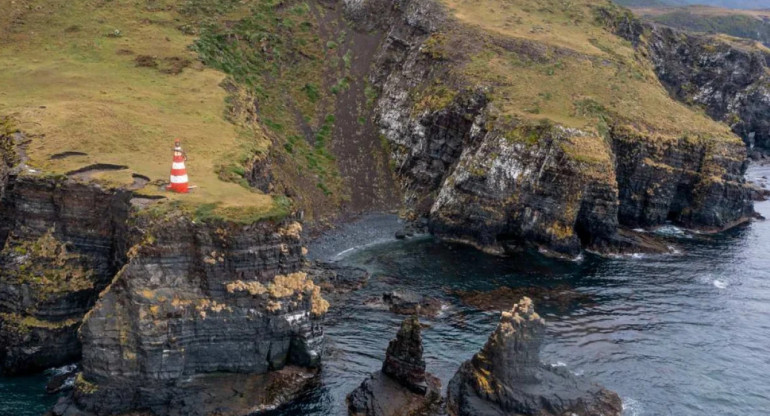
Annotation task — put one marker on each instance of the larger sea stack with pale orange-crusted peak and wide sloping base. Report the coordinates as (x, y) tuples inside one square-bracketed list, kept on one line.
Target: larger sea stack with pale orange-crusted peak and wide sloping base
[(507, 377)]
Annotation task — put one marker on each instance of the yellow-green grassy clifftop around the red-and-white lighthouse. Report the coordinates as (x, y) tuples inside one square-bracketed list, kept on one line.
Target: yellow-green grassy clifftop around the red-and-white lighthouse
[(69, 80)]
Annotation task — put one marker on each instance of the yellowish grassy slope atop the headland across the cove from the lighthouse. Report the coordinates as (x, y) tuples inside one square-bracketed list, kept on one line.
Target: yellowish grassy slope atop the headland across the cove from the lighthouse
[(576, 73)]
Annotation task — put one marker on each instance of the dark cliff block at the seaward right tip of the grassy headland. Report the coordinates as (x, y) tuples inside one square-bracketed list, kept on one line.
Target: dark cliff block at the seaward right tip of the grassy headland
[(699, 185)]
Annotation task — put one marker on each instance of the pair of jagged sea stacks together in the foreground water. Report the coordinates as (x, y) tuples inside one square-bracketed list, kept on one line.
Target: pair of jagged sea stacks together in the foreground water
[(505, 377)]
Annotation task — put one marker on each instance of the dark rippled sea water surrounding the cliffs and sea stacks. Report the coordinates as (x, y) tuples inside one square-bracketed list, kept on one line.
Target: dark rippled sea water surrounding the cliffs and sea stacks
[(685, 334)]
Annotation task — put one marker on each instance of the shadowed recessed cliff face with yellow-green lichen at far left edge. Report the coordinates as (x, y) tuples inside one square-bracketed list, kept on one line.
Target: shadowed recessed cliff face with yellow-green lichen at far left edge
[(62, 243)]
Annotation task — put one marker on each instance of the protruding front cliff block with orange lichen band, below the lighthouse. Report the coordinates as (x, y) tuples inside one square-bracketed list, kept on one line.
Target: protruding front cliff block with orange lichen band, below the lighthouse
[(195, 301)]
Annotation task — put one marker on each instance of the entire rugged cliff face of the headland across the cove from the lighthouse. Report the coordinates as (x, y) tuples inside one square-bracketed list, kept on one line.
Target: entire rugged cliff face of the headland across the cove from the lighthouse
[(503, 183)]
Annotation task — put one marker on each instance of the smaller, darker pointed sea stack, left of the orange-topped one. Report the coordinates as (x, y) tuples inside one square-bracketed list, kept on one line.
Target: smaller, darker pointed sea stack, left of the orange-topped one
[(403, 387)]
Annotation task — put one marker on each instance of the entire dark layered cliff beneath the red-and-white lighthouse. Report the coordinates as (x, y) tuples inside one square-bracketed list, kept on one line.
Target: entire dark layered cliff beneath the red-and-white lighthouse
[(167, 312)]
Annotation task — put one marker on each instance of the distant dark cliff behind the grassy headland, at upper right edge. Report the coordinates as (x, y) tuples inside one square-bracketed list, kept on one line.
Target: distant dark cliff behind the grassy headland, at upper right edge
[(728, 78)]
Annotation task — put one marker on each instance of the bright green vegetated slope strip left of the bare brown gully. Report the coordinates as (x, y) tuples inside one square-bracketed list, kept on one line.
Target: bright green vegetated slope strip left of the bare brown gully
[(276, 53)]
